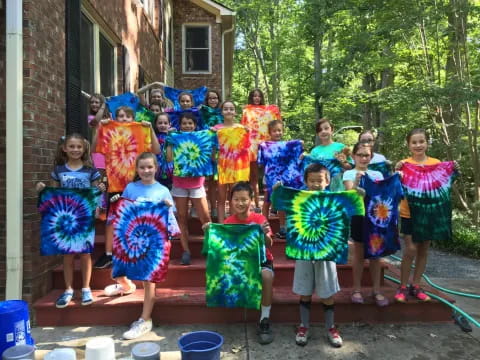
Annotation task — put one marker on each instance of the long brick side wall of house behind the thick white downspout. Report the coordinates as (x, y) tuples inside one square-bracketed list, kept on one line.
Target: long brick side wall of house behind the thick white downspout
[(44, 106)]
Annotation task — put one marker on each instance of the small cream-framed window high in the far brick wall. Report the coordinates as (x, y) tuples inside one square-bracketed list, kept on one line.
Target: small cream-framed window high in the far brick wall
[(196, 55)]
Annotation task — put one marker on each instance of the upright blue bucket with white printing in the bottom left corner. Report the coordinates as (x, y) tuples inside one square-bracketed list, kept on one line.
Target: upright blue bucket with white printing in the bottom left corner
[(14, 324)]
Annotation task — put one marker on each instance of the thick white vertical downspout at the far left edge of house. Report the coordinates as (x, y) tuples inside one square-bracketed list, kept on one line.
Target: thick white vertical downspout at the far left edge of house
[(14, 149)]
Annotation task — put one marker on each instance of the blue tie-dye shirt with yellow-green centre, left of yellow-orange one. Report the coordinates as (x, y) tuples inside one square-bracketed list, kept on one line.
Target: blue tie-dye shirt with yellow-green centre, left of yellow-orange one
[(192, 153)]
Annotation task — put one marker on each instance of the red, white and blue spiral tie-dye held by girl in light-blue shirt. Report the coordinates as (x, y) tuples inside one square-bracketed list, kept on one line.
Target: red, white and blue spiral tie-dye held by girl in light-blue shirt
[(141, 245)]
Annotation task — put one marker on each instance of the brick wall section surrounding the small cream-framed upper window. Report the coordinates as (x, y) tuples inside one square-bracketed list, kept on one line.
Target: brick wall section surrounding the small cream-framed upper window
[(185, 12)]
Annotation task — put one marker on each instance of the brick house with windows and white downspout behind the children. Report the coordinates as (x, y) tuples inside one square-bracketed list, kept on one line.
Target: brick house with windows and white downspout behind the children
[(75, 46)]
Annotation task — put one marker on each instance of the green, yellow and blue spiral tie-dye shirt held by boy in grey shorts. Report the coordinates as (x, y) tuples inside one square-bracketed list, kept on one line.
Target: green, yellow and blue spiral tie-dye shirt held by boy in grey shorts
[(318, 222)]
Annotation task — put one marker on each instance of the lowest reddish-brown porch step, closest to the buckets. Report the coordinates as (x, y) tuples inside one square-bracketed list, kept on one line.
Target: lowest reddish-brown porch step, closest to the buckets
[(187, 305)]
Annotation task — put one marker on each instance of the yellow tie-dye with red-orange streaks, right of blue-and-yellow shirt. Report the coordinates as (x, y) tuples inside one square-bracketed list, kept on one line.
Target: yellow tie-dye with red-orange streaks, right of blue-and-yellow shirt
[(233, 155)]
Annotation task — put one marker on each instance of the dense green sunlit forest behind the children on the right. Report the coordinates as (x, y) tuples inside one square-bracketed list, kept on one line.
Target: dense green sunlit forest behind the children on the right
[(388, 65)]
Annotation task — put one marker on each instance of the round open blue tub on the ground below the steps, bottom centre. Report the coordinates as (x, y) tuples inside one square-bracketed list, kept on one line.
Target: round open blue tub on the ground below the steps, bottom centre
[(201, 345)]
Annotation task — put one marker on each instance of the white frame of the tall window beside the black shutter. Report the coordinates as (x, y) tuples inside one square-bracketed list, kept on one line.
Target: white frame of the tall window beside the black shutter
[(97, 30)]
